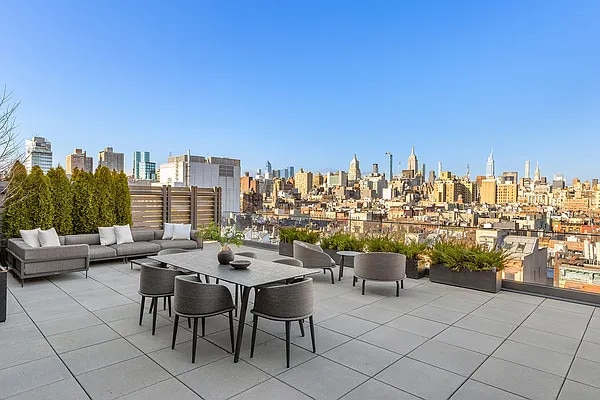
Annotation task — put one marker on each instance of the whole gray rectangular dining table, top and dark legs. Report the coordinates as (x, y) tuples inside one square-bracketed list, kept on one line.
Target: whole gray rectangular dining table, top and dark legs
[(258, 273)]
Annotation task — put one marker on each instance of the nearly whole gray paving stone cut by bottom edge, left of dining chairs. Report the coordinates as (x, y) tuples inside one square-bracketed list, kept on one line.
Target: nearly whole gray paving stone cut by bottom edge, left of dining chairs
[(123, 378)]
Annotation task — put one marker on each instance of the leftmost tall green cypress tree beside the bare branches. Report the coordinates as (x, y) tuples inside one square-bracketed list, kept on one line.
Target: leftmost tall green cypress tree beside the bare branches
[(14, 215)]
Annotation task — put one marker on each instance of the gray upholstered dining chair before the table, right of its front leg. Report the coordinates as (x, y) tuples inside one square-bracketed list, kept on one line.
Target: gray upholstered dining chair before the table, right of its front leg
[(288, 303)]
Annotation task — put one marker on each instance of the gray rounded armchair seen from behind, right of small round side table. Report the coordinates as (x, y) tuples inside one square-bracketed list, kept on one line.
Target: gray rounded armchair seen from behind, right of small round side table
[(386, 267)]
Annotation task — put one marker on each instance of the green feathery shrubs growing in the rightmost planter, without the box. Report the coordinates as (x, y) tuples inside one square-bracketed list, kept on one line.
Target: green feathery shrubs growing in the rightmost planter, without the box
[(475, 258)]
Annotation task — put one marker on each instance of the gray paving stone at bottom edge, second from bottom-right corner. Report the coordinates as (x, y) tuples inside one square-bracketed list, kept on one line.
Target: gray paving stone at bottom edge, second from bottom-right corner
[(514, 378)]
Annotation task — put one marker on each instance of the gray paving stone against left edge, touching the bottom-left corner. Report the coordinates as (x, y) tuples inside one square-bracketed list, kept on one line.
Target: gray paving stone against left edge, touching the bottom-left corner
[(24, 377)]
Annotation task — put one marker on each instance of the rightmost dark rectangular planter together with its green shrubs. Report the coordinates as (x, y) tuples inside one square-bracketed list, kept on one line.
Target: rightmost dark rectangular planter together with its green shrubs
[(472, 267)]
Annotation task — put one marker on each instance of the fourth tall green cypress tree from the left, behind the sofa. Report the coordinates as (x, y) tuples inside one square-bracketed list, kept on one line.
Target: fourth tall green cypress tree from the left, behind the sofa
[(85, 211)]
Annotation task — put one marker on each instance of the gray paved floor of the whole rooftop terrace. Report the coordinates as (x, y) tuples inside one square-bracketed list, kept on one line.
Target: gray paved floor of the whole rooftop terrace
[(68, 337)]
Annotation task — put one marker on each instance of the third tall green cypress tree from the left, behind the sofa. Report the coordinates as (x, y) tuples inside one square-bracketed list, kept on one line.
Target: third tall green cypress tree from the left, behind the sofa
[(62, 199)]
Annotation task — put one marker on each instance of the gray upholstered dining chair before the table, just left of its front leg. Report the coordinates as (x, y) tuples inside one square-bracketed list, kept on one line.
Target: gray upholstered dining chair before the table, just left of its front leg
[(194, 299)]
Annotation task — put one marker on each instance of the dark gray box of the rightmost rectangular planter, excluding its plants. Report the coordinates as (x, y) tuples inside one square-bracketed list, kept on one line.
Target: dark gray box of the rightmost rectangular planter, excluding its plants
[(487, 281)]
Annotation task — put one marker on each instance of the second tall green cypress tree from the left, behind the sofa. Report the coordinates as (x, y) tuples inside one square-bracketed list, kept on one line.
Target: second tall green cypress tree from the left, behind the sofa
[(38, 199)]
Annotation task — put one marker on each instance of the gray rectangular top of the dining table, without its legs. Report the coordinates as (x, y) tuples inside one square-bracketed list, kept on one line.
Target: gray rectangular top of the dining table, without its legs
[(260, 272)]
